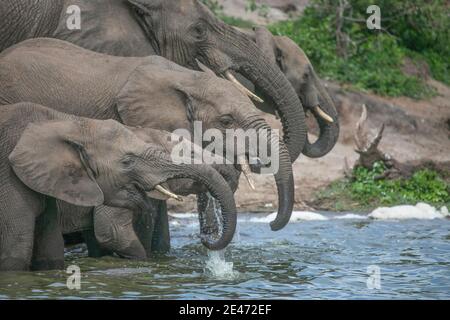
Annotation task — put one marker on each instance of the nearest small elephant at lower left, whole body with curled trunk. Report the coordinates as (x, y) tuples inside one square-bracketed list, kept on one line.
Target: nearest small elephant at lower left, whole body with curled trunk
[(48, 156)]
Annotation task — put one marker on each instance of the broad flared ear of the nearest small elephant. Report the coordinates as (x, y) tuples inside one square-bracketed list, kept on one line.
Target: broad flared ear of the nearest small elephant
[(50, 159)]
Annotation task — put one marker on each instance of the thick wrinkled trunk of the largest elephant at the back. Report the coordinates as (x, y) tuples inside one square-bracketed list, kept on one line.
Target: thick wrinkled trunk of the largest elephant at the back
[(249, 60)]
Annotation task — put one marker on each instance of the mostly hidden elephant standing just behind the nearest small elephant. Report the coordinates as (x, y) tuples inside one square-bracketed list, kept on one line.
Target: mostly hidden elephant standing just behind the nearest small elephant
[(138, 235)]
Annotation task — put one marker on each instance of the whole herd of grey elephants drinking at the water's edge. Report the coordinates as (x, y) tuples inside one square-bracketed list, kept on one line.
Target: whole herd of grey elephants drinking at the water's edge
[(87, 115)]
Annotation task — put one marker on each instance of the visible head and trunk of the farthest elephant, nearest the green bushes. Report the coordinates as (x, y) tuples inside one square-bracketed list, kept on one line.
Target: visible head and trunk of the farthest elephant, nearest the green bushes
[(297, 68)]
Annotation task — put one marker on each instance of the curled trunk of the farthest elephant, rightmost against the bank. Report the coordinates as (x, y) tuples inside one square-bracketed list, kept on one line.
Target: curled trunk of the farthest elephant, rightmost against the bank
[(329, 131)]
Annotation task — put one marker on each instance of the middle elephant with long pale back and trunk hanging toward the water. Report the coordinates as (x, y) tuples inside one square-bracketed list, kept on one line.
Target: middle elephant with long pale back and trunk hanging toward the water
[(149, 92)]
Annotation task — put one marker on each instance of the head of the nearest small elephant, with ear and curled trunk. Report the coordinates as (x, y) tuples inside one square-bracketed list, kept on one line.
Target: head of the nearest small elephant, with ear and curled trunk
[(92, 162)]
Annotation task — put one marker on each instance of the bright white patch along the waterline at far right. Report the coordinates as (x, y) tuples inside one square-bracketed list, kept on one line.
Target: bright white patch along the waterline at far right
[(419, 211)]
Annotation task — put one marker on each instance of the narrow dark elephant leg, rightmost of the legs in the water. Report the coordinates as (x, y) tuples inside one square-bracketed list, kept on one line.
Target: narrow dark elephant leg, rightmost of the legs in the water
[(161, 233)]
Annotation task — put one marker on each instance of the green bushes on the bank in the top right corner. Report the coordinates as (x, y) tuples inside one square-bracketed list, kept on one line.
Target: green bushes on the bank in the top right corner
[(373, 59)]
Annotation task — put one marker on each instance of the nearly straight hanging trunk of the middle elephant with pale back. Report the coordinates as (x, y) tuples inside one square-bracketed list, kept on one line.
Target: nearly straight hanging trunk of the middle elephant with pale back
[(284, 178)]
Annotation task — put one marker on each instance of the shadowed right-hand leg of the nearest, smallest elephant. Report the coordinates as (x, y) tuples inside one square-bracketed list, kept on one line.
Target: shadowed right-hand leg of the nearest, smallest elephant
[(48, 251)]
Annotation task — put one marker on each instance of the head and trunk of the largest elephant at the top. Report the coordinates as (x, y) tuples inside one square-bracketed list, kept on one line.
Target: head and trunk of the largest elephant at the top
[(186, 30)]
